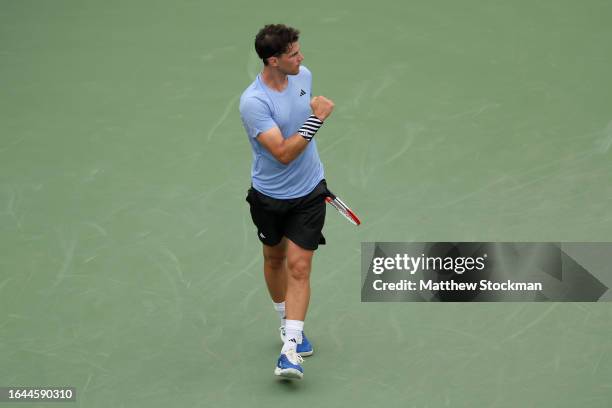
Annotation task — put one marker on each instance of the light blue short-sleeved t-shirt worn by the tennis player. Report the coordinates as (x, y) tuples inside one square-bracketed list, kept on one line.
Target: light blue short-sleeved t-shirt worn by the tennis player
[(261, 109)]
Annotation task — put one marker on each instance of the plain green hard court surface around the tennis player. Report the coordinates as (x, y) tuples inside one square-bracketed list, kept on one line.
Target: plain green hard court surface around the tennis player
[(130, 269)]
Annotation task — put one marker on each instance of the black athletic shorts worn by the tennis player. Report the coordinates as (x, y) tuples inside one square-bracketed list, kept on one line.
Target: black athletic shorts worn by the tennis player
[(299, 219)]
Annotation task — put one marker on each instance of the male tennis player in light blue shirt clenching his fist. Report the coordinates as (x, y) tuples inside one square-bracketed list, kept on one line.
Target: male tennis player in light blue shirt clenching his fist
[(287, 196)]
